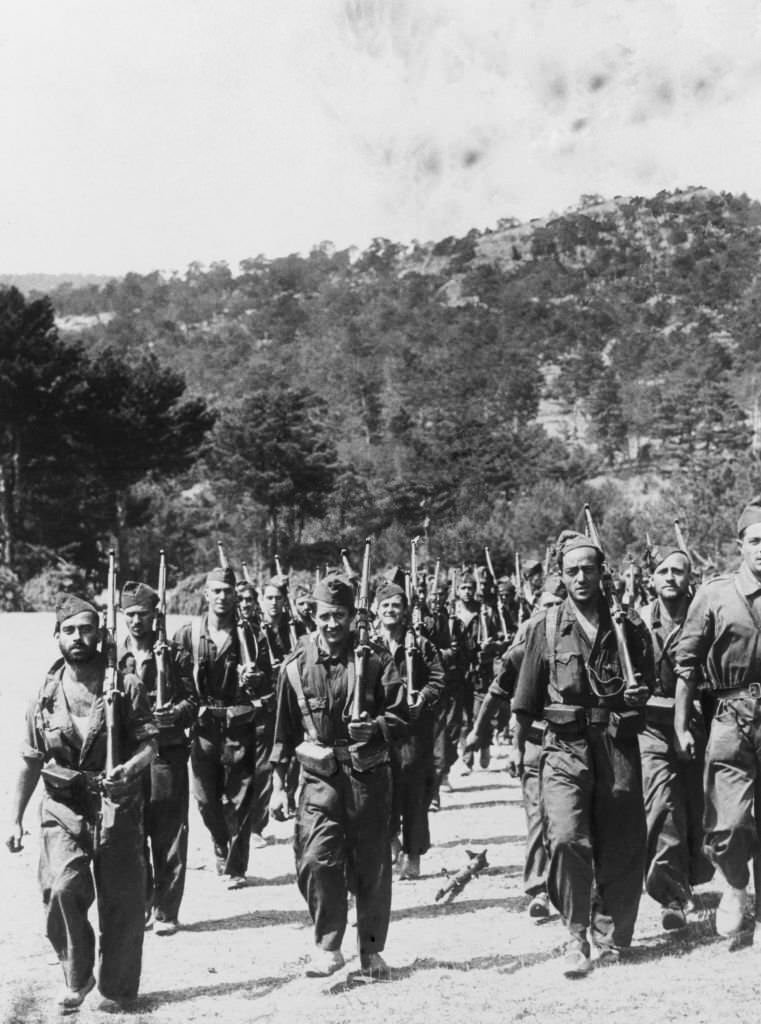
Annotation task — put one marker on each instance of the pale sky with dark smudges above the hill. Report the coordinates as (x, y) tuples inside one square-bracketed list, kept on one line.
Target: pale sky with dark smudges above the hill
[(147, 136)]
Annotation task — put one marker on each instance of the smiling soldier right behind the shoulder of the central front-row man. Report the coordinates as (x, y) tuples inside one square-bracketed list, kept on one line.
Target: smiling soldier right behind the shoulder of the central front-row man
[(412, 758)]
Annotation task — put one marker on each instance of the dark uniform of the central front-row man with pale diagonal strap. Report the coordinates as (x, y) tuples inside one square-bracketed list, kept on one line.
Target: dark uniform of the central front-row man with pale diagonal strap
[(343, 821)]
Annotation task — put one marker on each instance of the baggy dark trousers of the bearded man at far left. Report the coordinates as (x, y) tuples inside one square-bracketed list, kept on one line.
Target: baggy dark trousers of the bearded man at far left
[(83, 863)]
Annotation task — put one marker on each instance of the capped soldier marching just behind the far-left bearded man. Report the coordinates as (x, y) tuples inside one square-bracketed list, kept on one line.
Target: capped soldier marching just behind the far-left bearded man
[(167, 790)]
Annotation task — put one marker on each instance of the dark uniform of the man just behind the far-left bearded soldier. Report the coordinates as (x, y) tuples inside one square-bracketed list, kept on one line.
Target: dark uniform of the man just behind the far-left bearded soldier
[(166, 785)]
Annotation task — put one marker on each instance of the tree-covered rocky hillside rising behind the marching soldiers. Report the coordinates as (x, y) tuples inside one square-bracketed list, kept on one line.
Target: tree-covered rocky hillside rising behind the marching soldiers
[(493, 381)]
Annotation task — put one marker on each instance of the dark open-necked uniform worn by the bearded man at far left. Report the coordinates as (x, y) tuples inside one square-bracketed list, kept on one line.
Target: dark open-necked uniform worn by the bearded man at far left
[(78, 845)]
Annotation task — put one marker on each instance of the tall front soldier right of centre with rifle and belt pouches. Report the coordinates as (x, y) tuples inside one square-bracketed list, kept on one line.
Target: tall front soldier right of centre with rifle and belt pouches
[(572, 677)]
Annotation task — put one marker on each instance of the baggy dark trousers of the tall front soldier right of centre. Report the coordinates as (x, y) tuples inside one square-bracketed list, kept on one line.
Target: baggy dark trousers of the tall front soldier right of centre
[(596, 829)]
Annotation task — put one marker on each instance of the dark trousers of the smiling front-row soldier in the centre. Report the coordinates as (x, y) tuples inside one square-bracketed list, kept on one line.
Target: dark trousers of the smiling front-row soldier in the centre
[(343, 842)]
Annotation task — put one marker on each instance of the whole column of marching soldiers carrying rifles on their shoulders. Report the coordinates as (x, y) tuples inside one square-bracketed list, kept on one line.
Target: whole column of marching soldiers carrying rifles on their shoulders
[(353, 721)]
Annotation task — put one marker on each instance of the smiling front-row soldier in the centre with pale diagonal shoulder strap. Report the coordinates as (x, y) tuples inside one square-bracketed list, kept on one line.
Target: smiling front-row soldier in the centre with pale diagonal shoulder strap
[(343, 841)]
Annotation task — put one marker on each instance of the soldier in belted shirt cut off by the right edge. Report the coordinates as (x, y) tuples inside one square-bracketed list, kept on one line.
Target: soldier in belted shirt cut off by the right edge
[(721, 638)]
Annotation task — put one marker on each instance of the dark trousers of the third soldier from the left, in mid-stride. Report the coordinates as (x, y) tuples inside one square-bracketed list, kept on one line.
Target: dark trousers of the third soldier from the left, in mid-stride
[(224, 763)]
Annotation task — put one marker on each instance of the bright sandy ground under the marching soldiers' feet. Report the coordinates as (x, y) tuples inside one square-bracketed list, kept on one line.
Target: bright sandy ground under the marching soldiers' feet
[(240, 956)]
